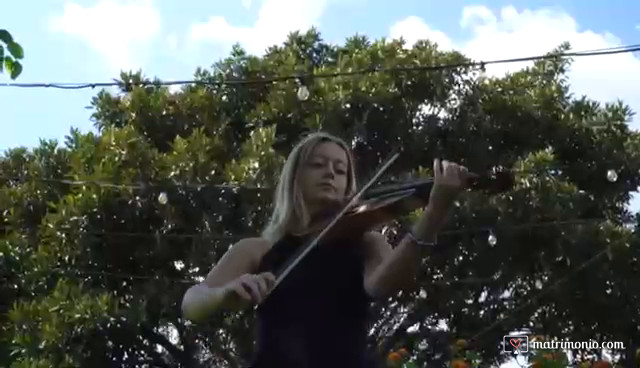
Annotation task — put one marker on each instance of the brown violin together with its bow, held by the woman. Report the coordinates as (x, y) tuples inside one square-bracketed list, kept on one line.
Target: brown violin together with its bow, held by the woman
[(368, 209)]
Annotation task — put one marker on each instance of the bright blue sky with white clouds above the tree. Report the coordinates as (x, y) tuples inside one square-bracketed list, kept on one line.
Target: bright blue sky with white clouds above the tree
[(82, 41)]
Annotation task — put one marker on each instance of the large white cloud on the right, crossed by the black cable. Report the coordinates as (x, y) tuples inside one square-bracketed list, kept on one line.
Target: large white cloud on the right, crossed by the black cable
[(513, 33)]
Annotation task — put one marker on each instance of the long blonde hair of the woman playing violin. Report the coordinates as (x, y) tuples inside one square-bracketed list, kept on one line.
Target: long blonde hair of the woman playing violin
[(289, 209)]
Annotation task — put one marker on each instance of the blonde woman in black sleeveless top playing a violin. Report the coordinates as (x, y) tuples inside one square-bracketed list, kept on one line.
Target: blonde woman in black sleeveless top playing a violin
[(318, 315)]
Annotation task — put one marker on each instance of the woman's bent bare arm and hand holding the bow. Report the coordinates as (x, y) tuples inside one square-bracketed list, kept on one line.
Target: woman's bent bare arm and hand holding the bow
[(230, 284)]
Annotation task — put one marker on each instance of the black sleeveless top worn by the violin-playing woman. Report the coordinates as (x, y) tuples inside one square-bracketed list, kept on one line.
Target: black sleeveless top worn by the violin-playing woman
[(318, 315)]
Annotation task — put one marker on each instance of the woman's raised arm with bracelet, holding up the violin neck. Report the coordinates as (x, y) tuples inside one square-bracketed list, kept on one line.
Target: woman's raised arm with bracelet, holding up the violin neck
[(388, 270)]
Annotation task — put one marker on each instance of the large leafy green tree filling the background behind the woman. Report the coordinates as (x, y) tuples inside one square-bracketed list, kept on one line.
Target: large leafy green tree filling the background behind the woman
[(94, 273)]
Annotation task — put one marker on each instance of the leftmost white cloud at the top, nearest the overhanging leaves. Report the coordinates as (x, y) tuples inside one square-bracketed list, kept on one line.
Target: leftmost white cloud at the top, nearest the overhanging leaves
[(120, 31)]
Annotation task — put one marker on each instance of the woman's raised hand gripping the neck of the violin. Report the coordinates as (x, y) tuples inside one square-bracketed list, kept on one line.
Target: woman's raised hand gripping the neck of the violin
[(449, 180)]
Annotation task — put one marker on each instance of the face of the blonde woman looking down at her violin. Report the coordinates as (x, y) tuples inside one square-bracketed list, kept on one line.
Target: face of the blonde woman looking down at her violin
[(323, 177)]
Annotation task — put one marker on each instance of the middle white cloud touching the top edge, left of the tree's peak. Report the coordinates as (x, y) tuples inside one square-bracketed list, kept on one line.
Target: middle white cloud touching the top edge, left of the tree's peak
[(276, 19)]
